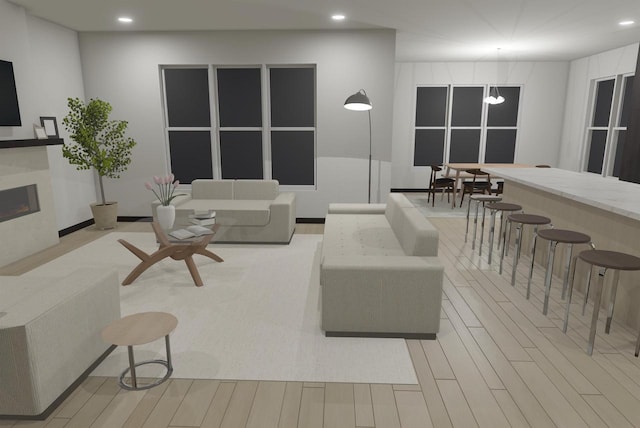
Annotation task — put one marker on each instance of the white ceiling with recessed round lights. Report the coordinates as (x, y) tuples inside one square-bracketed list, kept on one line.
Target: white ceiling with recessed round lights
[(427, 30)]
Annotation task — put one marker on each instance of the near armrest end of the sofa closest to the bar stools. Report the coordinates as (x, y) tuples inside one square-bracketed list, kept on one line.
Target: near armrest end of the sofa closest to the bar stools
[(388, 296)]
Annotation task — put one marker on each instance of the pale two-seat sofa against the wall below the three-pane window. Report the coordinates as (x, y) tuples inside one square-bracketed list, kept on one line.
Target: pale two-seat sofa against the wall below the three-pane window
[(250, 211)]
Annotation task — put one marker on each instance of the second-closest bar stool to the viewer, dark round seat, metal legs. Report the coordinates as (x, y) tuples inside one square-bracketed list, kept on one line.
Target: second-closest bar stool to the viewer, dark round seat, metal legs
[(555, 237)]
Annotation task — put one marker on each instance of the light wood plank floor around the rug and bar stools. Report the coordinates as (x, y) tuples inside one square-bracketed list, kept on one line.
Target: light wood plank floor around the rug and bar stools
[(497, 362)]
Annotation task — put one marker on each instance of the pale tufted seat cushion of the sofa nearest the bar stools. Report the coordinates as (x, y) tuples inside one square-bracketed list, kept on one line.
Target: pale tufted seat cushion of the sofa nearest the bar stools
[(363, 234)]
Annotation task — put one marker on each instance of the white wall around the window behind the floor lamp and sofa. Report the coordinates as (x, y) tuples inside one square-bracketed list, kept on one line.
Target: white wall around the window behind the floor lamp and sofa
[(123, 68)]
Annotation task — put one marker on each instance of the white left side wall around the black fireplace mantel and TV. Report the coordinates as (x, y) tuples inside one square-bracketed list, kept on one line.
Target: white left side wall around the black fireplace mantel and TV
[(46, 61)]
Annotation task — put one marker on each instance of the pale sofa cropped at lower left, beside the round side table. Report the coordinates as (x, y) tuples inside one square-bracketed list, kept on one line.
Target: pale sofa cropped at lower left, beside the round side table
[(50, 335)]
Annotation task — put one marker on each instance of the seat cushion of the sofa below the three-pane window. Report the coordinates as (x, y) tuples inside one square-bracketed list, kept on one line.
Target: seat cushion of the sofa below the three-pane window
[(233, 212)]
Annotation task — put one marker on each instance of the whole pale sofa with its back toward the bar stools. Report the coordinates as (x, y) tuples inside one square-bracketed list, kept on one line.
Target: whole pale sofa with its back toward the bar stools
[(379, 273)]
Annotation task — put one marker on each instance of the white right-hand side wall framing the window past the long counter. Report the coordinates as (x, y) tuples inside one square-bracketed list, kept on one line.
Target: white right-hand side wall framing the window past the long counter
[(582, 72)]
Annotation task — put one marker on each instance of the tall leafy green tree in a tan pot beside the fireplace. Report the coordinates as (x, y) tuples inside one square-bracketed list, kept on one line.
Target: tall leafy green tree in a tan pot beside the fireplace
[(101, 144)]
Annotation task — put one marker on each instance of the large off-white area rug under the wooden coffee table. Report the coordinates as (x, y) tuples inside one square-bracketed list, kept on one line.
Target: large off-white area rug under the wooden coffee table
[(256, 317)]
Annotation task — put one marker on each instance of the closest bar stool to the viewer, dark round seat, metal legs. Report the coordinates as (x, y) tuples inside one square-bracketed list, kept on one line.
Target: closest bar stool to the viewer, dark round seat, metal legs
[(605, 260)]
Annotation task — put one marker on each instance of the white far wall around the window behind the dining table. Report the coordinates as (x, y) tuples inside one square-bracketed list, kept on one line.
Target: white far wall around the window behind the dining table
[(541, 108)]
